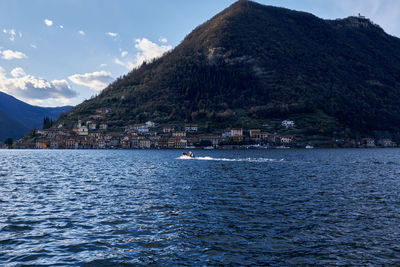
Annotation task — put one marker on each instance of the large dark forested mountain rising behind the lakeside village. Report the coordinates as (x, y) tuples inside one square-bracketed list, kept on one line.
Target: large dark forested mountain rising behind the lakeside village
[(252, 63)]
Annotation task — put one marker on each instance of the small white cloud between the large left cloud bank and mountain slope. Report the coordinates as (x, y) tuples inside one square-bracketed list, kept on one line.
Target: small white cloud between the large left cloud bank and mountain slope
[(96, 80)]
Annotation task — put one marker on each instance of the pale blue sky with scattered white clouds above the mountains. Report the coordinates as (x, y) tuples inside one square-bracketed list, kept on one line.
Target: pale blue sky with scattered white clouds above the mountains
[(55, 53)]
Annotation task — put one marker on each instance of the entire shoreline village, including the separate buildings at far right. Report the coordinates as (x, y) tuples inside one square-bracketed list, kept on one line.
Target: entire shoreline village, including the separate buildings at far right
[(94, 133)]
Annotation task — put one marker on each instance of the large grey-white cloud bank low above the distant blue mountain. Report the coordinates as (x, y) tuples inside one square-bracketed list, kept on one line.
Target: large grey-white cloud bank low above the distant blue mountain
[(34, 89)]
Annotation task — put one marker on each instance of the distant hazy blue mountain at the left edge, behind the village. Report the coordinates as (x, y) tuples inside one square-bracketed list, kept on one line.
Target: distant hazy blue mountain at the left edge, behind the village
[(17, 118)]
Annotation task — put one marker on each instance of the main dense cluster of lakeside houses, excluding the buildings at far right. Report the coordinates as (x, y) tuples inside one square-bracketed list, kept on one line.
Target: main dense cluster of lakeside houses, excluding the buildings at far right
[(149, 135)]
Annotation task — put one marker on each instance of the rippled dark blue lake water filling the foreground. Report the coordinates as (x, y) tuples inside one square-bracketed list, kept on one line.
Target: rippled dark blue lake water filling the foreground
[(278, 207)]
